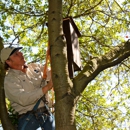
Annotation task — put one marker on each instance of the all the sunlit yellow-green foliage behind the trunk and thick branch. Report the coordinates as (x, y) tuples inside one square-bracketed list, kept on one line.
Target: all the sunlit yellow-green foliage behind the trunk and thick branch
[(103, 24)]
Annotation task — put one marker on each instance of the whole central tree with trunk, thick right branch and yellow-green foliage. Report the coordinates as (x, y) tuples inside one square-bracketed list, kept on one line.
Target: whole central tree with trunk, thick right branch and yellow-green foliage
[(101, 24)]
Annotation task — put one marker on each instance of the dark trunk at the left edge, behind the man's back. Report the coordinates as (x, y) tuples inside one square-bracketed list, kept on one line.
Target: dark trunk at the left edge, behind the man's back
[(6, 123)]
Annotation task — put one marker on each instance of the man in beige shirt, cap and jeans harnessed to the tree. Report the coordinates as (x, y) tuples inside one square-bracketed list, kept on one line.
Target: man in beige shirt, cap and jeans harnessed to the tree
[(27, 91)]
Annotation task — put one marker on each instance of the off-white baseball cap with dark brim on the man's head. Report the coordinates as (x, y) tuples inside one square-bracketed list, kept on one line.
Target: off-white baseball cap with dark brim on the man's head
[(7, 52)]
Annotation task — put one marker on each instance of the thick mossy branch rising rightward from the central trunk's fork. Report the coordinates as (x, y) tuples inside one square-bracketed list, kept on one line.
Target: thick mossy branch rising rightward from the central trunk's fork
[(98, 64)]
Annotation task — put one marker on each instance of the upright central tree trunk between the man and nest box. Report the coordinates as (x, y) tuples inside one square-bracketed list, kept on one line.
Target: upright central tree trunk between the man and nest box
[(65, 106)]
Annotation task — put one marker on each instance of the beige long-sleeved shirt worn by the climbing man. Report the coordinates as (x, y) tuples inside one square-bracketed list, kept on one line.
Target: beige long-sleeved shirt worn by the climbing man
[(24, 90)]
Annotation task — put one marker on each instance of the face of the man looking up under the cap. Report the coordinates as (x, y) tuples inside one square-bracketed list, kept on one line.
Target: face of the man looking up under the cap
[(16, 59)]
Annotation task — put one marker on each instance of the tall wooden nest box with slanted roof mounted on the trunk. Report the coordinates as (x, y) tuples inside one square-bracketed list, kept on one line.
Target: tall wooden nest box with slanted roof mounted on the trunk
[(73, 53)]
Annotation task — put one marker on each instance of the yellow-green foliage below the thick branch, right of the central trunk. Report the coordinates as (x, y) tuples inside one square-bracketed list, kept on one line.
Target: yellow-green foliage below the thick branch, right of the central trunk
[(105, 101)]
